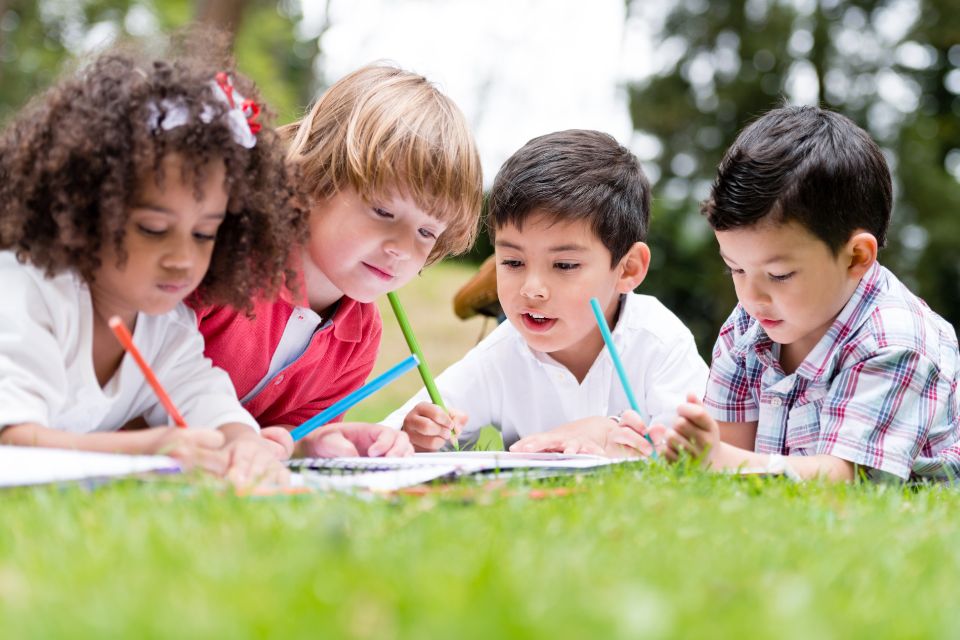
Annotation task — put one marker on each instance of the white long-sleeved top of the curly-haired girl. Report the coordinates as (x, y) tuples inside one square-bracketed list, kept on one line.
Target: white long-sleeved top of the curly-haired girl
[(46, 361)]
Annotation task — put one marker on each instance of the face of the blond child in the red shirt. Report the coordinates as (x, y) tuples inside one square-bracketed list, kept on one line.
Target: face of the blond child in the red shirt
[(365, 249)]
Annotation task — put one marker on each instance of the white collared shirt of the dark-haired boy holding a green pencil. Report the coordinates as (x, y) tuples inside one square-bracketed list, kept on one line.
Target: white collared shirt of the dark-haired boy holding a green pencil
[(505, 383)]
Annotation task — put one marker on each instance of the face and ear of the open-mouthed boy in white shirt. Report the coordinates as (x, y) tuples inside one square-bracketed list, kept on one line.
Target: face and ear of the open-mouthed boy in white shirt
[(546, 275)]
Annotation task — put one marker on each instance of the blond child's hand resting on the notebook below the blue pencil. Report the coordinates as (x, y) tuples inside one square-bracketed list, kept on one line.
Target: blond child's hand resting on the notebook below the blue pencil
[(356, 439)]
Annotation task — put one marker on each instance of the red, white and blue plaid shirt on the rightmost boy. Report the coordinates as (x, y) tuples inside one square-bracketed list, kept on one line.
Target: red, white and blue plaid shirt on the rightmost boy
[(879, 389)]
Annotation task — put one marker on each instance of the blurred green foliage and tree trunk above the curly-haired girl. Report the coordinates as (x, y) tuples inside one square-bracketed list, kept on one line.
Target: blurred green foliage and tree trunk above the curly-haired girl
[(271, 42)]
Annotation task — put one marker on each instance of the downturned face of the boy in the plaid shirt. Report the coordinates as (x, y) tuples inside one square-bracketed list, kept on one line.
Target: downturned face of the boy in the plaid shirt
[(789, 281)]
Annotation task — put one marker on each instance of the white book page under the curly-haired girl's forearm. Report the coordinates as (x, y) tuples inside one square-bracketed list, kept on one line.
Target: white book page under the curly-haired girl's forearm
[(21, 466)]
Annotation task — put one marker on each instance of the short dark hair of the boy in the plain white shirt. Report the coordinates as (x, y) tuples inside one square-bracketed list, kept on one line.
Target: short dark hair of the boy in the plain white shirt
[(575, 175)]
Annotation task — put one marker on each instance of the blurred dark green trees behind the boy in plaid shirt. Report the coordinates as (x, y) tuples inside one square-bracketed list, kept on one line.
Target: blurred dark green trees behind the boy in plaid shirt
[(889, 65)]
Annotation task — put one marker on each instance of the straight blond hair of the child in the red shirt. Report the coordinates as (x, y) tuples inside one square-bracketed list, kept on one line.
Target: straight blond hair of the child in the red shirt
[(382, 129)]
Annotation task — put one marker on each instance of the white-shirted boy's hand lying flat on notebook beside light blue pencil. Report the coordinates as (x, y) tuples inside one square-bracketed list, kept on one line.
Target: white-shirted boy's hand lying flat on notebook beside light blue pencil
[(596, 435)]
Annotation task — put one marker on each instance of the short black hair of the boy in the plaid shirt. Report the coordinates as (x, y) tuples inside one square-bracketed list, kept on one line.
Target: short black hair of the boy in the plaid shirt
[(807, 164)]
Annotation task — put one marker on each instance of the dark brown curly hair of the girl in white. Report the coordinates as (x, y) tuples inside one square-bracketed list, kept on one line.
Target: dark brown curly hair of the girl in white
[(71, 162)]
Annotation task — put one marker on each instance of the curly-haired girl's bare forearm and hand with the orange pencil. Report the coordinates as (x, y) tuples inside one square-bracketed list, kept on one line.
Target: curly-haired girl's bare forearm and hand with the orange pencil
[(191, 447)]
